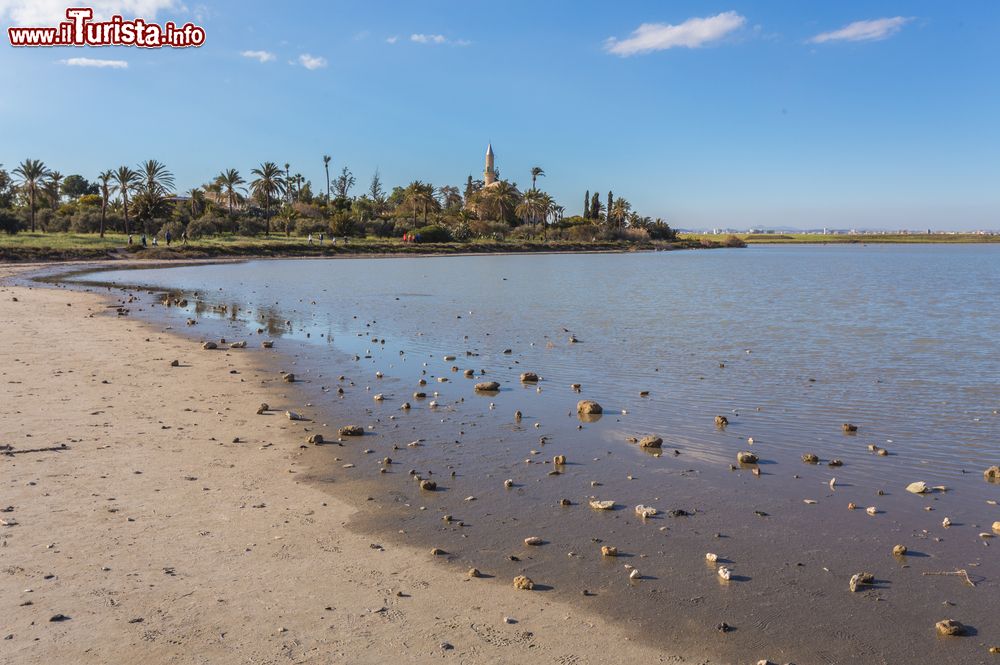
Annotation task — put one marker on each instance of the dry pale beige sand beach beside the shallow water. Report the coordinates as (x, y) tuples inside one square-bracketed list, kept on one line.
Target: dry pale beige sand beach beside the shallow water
[(163, 541)]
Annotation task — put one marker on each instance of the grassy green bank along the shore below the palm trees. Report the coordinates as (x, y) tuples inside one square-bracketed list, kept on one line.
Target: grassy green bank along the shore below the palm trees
[(25, 247)]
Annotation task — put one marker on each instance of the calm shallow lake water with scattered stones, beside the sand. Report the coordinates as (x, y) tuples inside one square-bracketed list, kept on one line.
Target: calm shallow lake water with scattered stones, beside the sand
[(787, 342)]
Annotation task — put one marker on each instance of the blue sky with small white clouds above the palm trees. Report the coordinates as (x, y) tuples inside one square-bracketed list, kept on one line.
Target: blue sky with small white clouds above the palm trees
[(732, 114)]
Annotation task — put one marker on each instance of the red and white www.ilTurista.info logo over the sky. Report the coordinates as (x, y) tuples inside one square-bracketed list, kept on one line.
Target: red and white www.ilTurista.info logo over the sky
[(80, 30)]
